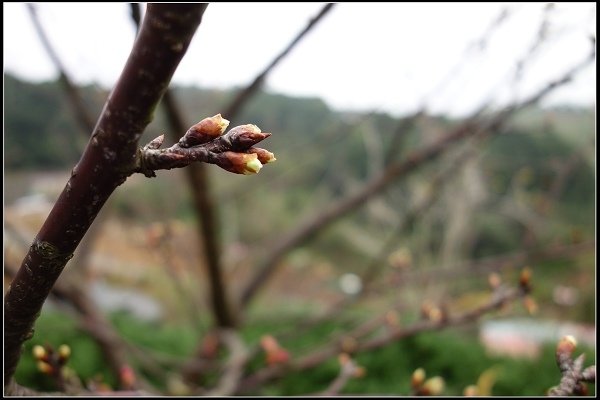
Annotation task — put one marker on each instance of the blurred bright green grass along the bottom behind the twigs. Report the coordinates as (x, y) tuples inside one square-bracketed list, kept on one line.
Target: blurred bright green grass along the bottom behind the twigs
[(455, 354)]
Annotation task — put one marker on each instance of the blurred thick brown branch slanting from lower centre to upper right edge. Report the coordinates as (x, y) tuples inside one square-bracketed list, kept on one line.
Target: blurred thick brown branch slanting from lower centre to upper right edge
[(394, 171)]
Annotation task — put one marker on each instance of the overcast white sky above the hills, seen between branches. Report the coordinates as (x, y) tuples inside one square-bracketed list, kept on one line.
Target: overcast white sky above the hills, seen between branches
[(372, 56)]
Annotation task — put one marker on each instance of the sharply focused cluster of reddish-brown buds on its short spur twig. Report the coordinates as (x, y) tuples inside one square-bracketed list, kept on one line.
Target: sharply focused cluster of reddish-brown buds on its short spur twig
[(205, 142)]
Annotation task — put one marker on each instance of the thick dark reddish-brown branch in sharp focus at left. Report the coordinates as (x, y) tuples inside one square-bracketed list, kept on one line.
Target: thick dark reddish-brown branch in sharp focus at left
[(108, 160)]
